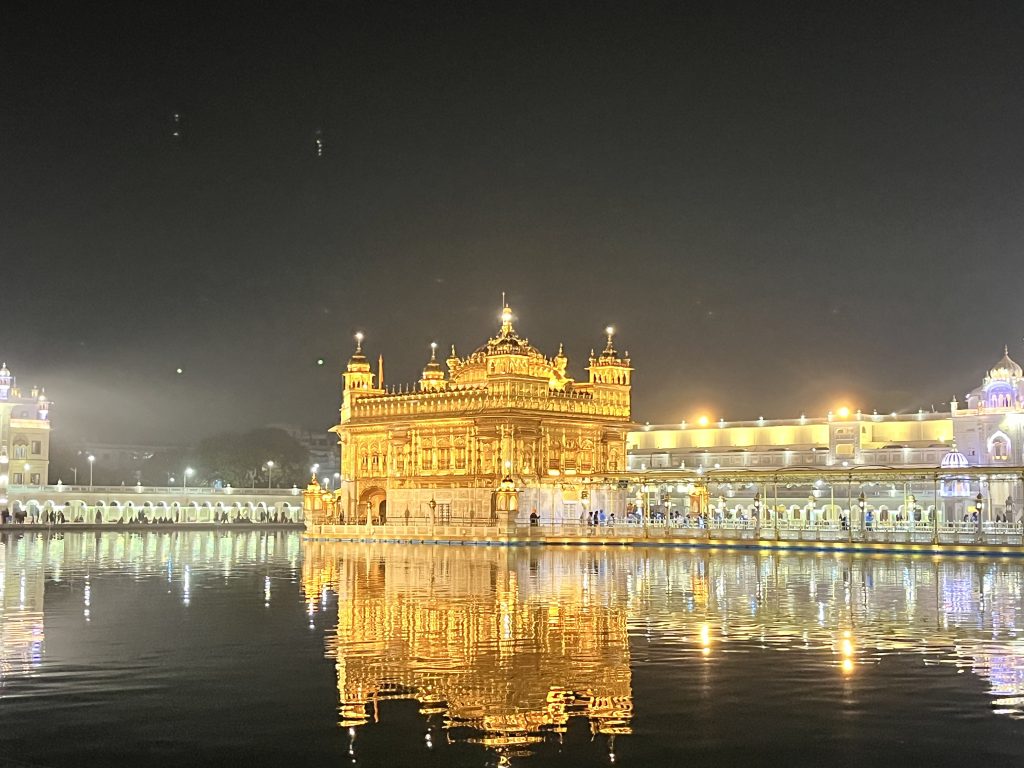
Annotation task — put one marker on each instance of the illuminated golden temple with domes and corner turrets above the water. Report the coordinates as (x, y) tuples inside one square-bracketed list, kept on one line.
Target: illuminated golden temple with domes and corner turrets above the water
[(504, 415)]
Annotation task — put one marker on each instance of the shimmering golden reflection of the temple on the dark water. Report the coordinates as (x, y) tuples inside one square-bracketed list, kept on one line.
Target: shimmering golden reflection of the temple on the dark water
[(495, 639)]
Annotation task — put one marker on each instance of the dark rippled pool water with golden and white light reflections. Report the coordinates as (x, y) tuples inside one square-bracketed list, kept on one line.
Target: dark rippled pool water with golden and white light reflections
[(254, 650)]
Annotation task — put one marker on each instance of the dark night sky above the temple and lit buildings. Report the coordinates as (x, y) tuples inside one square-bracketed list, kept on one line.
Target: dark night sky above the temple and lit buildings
[(779, 209)]
